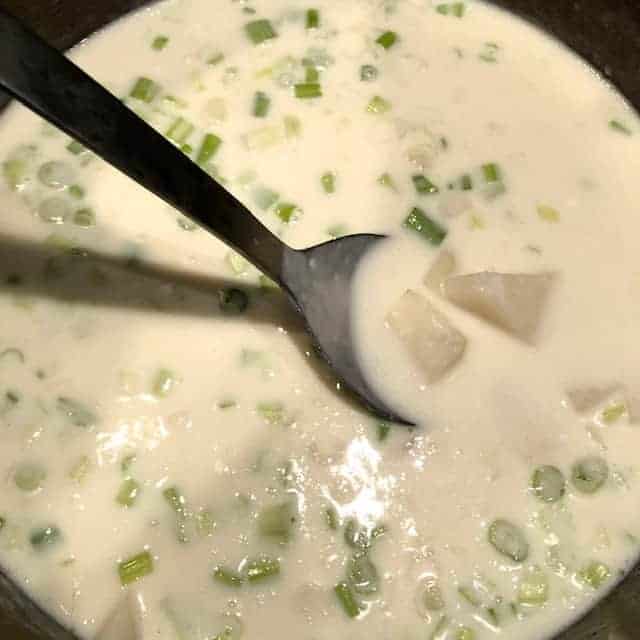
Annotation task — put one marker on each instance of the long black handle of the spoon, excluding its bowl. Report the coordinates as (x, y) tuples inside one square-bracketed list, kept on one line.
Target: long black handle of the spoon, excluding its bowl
[(48, 83)]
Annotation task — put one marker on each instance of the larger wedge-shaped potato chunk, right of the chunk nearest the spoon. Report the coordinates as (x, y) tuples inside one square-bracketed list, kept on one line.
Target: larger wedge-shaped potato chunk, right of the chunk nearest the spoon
[(512, 301)]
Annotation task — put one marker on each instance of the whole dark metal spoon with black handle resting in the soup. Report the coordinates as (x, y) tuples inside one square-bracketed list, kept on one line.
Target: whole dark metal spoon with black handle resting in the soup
[(317, 280)]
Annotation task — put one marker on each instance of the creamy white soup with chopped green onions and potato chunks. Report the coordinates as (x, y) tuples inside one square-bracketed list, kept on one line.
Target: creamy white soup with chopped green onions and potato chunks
[(177, 461)]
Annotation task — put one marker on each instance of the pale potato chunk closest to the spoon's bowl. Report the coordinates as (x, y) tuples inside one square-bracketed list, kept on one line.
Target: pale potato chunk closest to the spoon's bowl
[(427, 334)]
